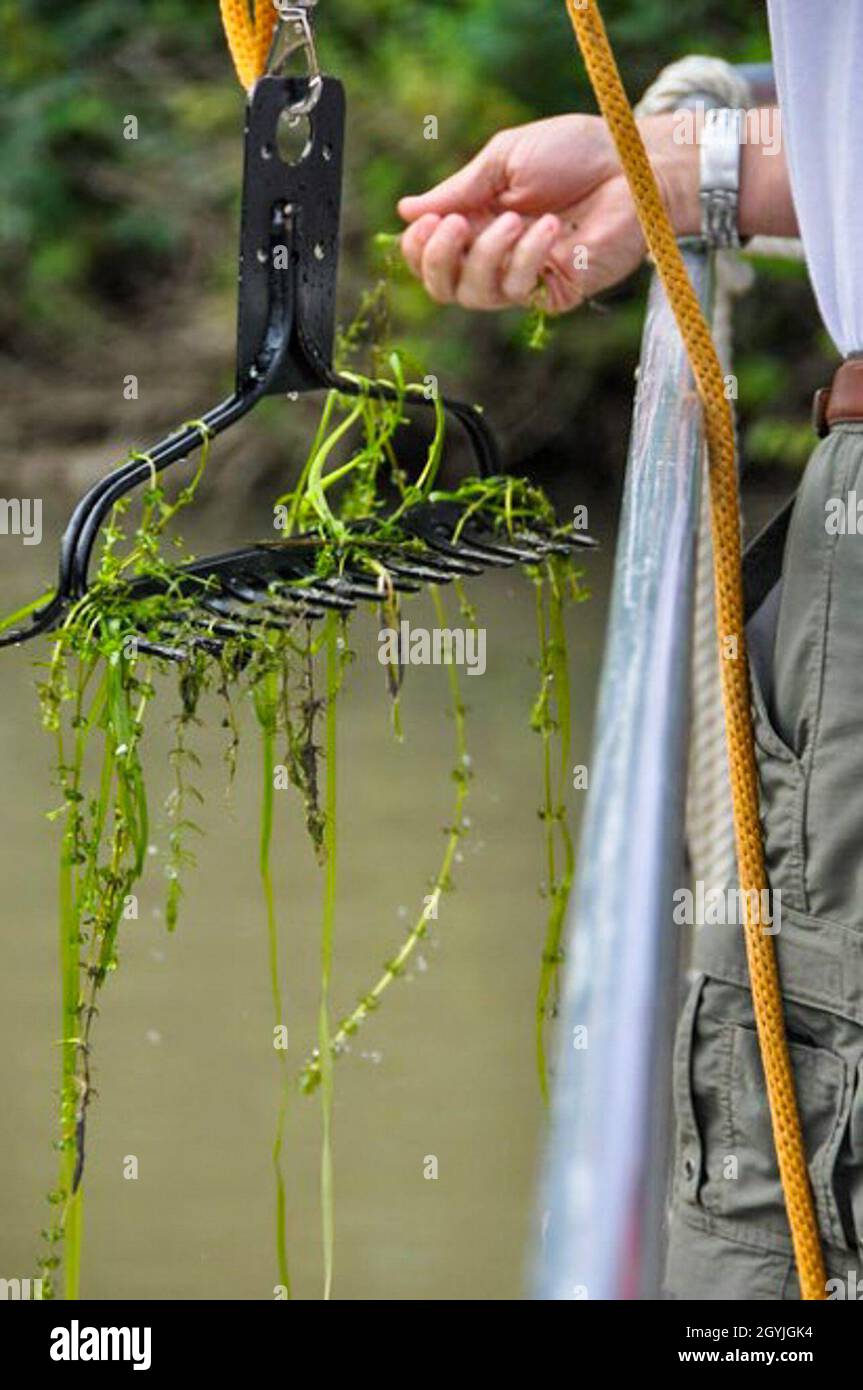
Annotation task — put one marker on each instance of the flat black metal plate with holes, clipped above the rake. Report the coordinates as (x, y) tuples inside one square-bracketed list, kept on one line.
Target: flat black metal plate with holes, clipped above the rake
[(312, 188)]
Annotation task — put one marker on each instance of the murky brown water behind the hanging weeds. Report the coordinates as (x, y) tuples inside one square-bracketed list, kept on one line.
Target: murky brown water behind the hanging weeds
[(184, 1065)]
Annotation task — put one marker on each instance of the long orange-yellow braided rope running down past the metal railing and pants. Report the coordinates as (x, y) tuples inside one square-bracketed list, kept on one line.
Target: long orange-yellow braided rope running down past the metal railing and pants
[(725, 508)]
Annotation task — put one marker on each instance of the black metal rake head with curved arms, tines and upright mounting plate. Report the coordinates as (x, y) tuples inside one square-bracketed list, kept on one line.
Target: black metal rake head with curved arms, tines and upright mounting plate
[(290, 244)]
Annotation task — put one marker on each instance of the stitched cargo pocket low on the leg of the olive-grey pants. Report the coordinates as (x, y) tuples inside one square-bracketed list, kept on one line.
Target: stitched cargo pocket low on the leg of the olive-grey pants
[(726, 1156)]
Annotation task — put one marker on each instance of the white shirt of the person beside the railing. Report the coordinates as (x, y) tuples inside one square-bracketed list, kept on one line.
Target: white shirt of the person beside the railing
[(818, 58)]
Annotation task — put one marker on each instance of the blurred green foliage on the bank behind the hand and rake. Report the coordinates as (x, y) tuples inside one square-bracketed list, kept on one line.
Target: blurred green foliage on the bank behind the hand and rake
[(99, 231)]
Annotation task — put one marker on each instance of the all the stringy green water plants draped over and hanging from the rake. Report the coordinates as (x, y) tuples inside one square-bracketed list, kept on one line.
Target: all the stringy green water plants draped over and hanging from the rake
[(108, 665)]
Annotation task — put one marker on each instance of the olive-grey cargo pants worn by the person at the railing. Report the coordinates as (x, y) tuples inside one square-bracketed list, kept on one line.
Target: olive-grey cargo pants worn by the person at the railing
[(729, 1231)]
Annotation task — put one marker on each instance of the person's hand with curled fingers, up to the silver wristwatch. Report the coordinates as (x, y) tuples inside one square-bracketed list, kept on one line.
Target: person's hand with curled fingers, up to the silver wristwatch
[(543, 205)]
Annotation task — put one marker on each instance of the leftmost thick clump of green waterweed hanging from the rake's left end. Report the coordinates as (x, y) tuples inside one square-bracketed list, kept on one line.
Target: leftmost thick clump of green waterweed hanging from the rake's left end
[(95, 685)]
